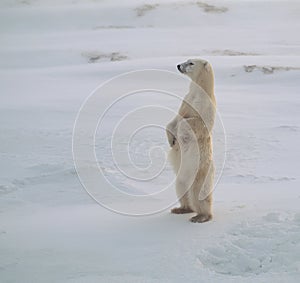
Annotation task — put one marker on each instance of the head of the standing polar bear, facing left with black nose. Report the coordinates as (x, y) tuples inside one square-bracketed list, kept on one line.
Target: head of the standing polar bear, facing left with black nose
[(200, 71)]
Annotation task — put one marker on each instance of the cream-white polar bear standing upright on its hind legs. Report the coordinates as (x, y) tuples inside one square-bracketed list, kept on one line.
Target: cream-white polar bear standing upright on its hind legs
[(190, 137)]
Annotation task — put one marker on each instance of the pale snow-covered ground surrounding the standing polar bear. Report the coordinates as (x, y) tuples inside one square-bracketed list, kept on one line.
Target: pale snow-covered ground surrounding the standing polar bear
[(54, 54)]
